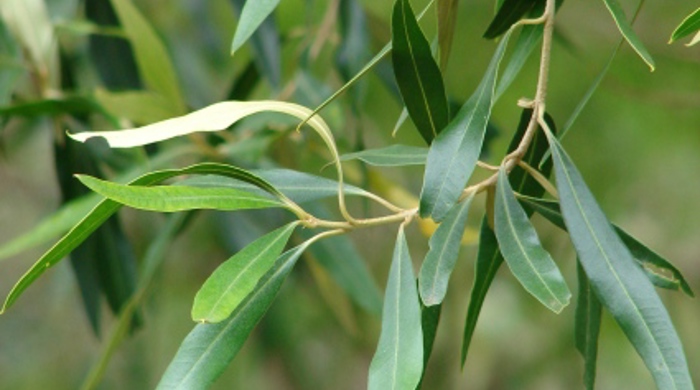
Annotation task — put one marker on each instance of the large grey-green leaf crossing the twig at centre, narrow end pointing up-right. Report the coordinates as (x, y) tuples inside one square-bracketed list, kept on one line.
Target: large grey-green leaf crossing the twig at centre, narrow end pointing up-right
[(454, 153)]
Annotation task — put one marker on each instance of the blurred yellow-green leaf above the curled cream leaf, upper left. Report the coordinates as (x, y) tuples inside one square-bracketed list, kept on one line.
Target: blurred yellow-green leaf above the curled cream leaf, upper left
[(152, 58)]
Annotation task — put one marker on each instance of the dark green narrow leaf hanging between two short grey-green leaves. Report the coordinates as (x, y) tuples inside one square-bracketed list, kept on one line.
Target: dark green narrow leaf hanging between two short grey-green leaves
[(488, 260)]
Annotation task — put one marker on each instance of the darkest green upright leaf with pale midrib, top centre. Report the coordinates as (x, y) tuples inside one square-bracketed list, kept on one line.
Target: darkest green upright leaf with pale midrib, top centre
[(417, 74)]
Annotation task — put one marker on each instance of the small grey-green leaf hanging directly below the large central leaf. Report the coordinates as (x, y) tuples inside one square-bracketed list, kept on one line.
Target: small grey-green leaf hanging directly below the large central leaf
[(442, 255)]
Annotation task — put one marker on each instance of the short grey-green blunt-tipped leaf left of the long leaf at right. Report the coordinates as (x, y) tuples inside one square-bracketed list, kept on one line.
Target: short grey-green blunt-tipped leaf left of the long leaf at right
[(529, 262)]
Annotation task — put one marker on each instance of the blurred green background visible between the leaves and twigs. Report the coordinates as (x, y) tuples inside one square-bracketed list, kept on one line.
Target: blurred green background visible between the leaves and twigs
[(637, 144)]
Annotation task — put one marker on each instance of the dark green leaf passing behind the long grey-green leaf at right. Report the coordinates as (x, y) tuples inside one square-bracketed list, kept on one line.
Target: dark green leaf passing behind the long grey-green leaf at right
[(647, 258)]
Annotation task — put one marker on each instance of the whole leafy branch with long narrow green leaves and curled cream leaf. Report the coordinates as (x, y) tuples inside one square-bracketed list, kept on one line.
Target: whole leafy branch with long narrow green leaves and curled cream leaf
[(615, 271)]
